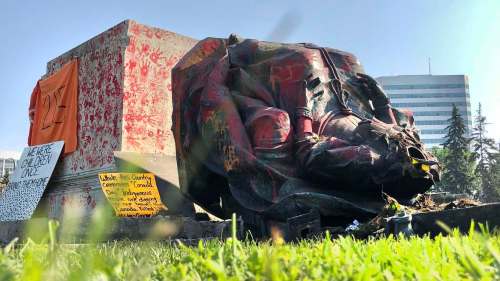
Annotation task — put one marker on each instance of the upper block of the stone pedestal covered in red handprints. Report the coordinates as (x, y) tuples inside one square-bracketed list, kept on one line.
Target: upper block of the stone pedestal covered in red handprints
[(124, 93)]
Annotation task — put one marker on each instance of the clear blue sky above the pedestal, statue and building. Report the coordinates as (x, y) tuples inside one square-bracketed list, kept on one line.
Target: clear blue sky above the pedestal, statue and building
[(389, 37)]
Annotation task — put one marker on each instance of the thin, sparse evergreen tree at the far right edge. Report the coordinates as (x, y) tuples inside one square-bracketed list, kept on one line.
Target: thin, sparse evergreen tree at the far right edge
[(485, 150)]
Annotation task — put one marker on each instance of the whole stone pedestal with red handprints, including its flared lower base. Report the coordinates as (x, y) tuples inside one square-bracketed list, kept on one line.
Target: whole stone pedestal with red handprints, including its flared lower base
[(124, 105)]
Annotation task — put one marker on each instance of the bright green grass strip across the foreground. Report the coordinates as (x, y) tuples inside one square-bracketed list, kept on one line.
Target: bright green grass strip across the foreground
[(456, 257)]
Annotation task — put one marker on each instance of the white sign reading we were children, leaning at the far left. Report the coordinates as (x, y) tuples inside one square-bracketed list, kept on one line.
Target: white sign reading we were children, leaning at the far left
[(20, 197)]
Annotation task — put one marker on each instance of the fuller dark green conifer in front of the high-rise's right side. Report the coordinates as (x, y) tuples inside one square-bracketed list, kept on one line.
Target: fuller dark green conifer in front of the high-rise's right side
[(459, 165)]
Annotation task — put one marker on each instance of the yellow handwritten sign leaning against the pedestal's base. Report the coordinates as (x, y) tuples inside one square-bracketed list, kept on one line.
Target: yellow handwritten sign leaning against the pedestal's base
[(132, 194)]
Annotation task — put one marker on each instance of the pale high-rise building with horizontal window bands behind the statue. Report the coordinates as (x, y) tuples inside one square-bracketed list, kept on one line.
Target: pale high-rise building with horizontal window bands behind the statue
[(430, 98)]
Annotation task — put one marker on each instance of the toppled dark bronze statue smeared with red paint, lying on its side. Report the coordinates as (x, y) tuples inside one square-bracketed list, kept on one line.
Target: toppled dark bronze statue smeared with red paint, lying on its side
[(276, 132)]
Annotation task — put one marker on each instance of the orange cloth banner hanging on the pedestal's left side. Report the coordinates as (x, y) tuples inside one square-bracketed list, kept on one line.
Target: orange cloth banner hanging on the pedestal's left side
[(54, 108)]
